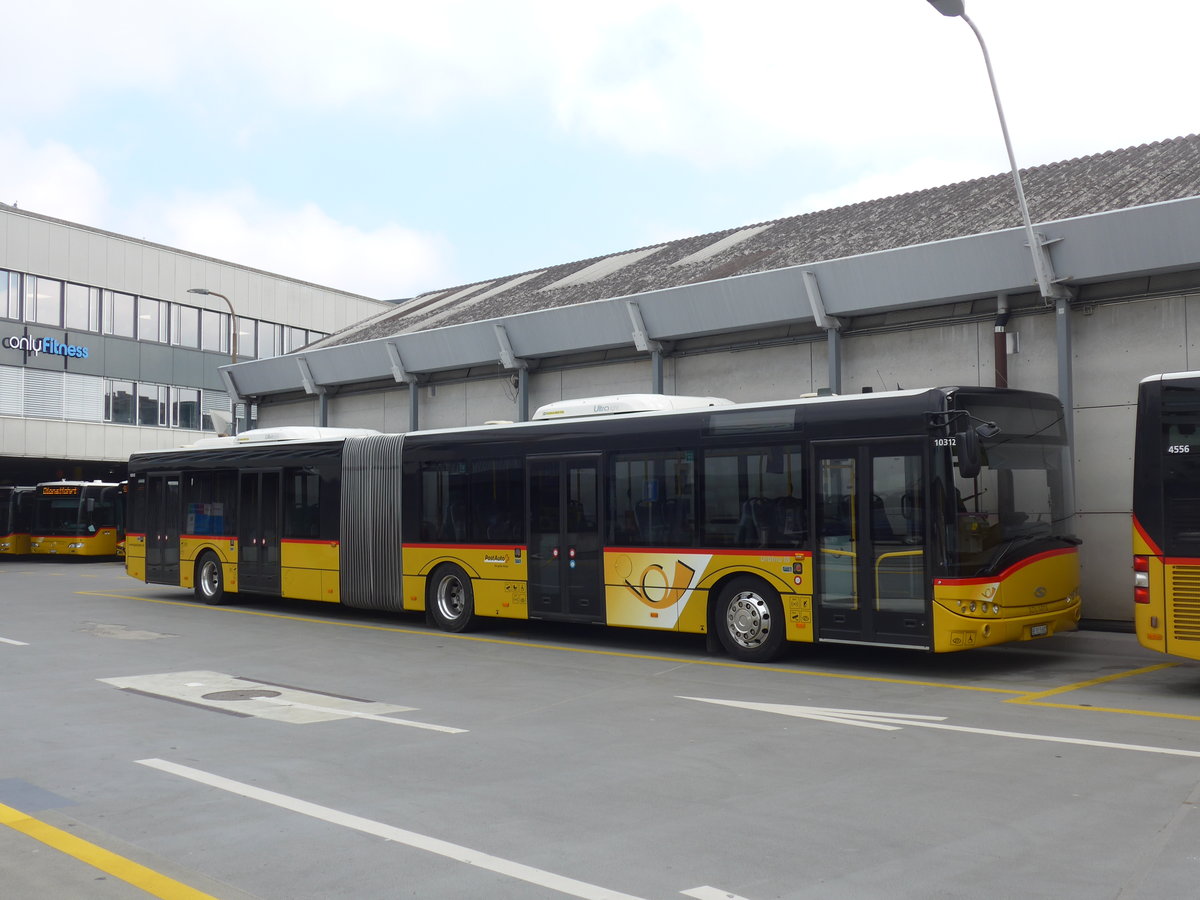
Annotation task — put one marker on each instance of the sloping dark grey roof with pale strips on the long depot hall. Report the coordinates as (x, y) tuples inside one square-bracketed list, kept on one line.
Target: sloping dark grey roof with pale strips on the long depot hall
[(1113, 181)]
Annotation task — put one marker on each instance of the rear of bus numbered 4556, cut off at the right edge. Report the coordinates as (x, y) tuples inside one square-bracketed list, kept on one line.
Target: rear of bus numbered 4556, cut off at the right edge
[(1167, 514)]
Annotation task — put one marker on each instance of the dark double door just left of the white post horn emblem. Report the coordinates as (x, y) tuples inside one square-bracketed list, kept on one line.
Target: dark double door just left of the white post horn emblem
[(566, 577)]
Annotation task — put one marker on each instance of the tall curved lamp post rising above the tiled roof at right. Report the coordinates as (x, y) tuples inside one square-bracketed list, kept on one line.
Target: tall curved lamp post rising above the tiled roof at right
[(1043, 271)]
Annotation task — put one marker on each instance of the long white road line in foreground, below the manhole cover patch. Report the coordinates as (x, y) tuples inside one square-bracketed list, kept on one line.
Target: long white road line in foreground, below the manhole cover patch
[(419, 842)]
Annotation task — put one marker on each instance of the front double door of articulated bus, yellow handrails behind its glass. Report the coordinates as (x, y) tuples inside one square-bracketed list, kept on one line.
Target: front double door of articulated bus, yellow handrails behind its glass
[(871, 561)]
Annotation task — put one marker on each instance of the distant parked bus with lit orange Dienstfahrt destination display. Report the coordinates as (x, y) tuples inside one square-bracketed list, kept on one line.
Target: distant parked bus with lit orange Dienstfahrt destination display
[(77, 519)]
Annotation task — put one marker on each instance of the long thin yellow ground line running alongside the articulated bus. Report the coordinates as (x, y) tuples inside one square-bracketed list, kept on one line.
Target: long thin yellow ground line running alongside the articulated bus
[(526, 645)]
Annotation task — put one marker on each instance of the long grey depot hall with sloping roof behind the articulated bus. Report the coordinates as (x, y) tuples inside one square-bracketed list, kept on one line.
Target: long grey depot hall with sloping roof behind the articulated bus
[(928, 289)]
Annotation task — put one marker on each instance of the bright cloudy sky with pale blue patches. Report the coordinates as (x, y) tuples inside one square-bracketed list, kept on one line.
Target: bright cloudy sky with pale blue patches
[(394, 148)]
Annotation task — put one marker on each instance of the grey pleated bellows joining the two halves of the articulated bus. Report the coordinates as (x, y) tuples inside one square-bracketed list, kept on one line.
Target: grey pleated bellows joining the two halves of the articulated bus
[(370, 550)]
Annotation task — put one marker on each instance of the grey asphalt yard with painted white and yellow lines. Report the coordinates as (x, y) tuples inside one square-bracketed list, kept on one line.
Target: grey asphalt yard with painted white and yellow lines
[(157, 747)]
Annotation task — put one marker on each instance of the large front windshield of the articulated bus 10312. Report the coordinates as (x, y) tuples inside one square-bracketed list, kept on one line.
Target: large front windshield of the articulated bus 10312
[(1017, 505)]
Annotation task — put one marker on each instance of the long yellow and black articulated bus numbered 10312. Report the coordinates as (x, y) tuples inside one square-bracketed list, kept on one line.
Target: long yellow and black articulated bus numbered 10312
[(923, 519)]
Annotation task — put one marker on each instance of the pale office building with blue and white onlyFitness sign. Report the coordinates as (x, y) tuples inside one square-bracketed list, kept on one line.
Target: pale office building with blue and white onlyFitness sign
[(105, 350)]
